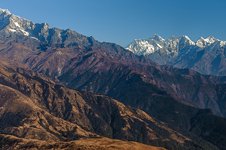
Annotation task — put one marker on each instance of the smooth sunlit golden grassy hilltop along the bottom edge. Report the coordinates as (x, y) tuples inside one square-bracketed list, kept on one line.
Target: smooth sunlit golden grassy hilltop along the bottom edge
[(82, 144)]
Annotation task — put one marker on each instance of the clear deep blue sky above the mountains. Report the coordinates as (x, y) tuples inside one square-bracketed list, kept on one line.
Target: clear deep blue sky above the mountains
[(121, 21)]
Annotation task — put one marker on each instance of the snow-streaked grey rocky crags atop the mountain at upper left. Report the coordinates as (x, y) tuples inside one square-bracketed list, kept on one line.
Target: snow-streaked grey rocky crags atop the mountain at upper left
[(39, 34)]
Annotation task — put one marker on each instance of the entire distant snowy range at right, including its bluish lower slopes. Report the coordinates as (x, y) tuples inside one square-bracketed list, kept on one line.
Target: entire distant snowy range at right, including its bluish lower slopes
[(206, 55)]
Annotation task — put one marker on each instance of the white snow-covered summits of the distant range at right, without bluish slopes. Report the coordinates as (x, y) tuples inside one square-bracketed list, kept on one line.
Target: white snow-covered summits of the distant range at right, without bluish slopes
[(169, 46)]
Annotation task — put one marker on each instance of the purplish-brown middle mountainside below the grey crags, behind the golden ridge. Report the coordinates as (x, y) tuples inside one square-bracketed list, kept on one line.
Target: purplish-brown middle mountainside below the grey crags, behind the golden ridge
[(105, 68)]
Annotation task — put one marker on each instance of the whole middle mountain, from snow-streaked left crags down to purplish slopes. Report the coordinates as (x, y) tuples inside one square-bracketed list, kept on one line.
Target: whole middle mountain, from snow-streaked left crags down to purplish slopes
[(82, 62)]
